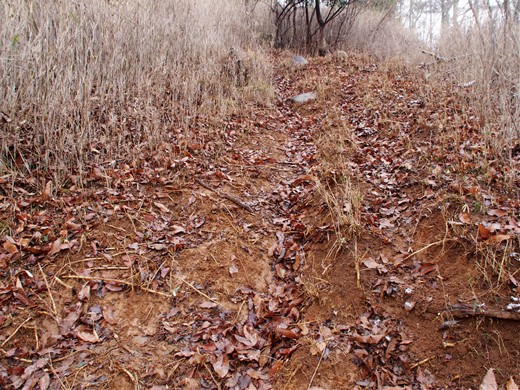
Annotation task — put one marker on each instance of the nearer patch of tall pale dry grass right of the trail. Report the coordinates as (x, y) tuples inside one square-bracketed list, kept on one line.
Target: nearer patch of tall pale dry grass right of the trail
[(484, 62)]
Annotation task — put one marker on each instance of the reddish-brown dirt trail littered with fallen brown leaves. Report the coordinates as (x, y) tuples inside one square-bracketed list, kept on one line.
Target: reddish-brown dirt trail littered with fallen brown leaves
[(225, 270)]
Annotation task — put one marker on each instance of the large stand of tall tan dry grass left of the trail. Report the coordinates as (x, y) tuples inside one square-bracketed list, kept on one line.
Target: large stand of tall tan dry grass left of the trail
[(90, 82)]
